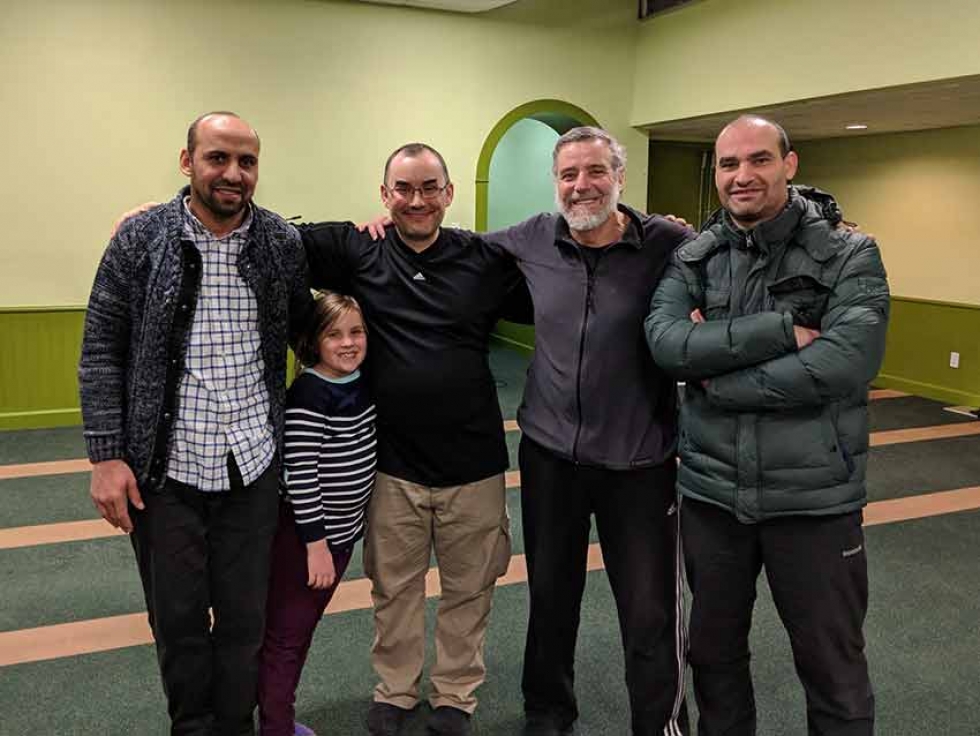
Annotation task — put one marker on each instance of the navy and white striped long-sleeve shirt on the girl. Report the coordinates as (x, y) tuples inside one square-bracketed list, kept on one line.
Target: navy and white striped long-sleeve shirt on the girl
[(330, 456)]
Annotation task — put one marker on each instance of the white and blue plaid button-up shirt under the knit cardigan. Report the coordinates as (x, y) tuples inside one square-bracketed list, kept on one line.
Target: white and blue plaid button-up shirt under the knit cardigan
[(222, 400)]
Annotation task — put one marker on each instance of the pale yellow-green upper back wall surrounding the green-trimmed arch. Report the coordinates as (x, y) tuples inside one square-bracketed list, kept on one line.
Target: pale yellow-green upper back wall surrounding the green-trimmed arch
[(97, 95)]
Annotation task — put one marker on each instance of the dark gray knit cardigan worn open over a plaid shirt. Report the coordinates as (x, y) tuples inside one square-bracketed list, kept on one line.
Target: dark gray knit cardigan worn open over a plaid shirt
[(138, 319)]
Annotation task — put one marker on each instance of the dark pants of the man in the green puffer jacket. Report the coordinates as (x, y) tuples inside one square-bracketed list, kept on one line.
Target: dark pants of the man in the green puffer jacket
[(817, 571)]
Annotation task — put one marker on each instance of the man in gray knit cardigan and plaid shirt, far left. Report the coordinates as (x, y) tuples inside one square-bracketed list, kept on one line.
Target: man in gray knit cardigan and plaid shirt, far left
[(182, 380)]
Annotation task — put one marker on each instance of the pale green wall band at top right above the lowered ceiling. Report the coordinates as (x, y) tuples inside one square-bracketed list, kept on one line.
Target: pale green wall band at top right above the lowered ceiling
[(718, 55)]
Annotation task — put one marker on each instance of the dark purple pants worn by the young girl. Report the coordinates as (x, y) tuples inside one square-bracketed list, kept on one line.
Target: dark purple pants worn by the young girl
[(292, 613)]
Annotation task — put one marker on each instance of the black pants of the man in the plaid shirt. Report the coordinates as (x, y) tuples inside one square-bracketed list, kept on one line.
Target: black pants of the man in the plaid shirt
[(196, 551)]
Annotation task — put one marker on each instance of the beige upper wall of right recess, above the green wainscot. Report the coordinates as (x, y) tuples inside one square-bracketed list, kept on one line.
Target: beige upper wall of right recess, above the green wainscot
[(917, 193)]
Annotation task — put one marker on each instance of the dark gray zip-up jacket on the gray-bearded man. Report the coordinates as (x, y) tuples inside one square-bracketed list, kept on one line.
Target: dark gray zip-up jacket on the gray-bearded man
[(593, 393)]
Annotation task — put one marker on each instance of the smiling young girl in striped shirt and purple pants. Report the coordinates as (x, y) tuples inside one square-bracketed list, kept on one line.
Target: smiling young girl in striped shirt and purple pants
[(329, 460)]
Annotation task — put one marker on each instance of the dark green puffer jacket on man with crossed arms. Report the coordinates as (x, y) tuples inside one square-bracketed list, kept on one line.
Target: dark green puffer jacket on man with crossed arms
[(768, 430)]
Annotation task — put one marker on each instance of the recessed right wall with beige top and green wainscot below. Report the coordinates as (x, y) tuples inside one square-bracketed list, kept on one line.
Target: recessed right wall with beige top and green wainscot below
[(917, 193)]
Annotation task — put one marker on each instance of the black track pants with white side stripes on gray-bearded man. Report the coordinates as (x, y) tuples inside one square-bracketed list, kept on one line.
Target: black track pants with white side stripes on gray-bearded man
[(637, 522)]
